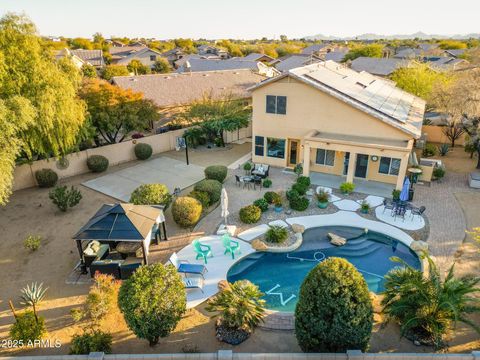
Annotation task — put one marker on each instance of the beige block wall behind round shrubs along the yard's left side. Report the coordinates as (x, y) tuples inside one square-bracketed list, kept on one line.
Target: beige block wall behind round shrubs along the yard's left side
[(24, 175)]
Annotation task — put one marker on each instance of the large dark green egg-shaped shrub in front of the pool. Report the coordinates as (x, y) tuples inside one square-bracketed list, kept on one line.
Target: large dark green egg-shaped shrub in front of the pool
[(334, 312)]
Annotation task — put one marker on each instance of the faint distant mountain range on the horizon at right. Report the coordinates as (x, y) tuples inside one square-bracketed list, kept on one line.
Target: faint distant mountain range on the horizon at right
[(371, 36)]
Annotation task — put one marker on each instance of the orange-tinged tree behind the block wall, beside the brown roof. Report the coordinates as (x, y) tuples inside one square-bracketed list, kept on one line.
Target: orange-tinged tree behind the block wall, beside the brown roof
[(115, 112)]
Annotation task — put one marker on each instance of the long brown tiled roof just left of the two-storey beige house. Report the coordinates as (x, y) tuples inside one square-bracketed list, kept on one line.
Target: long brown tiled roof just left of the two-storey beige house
[(180, 89)]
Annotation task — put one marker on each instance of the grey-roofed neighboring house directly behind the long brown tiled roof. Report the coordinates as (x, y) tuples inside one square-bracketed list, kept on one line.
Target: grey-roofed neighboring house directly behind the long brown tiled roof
[(194, 65)]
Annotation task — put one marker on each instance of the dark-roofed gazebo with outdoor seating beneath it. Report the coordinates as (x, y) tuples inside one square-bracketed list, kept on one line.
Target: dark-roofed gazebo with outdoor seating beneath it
[(115, 232)]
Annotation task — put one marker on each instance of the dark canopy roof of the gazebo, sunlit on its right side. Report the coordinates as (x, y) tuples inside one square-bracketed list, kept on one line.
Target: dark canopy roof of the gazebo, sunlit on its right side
[(120, 222)]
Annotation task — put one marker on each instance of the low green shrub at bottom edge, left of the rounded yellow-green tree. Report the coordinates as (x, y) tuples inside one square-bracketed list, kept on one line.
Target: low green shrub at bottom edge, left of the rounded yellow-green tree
[(92, 341)]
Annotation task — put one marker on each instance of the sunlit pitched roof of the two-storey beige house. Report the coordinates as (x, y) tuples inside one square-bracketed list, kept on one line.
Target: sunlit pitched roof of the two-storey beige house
[(378, 97)]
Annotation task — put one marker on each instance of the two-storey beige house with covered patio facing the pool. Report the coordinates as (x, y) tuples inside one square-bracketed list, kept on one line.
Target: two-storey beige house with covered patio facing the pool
[(335, 121)]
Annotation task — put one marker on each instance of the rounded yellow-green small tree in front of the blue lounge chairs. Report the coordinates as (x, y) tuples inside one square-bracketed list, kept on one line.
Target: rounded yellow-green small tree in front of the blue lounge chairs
[(153, 301)]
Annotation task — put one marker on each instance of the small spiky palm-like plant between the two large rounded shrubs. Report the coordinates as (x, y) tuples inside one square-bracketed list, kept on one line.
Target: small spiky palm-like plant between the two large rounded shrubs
[(240, 305)]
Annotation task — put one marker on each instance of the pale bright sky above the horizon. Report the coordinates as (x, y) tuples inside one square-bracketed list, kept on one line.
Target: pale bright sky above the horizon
[(247, 19)]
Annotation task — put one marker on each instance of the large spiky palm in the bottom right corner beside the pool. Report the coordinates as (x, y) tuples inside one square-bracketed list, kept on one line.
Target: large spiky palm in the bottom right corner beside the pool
[(425, 306)]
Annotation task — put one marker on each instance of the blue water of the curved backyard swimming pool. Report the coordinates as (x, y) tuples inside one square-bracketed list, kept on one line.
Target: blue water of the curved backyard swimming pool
[(280, 275)]
